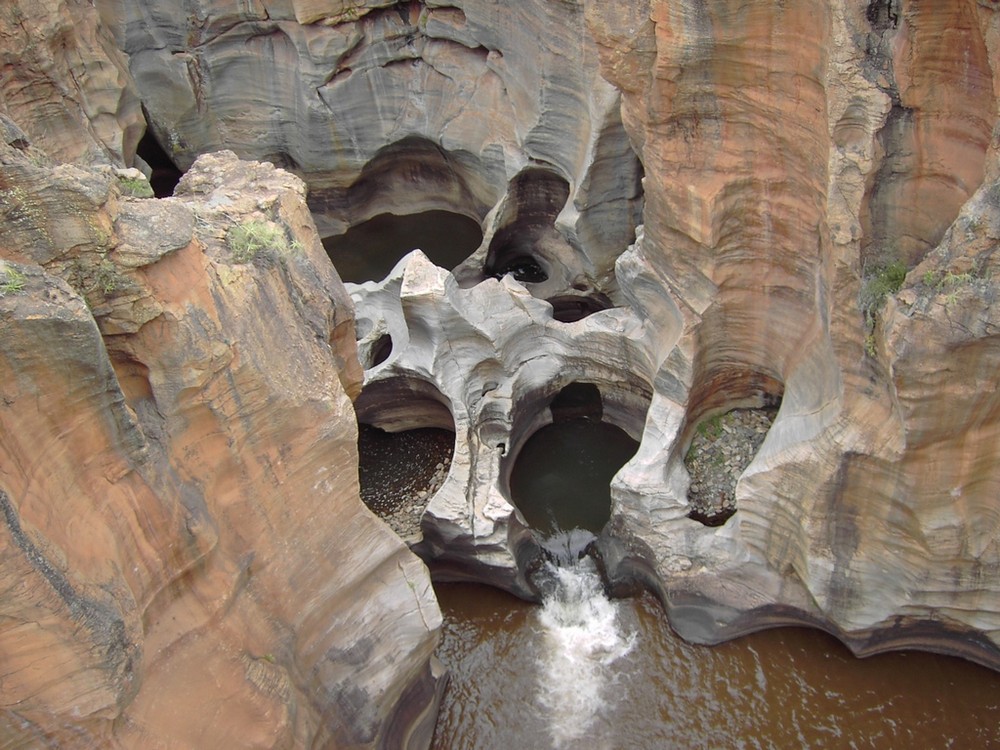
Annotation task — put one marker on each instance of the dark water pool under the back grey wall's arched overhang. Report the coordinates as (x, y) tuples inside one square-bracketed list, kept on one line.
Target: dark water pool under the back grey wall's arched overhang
[(370, 250)]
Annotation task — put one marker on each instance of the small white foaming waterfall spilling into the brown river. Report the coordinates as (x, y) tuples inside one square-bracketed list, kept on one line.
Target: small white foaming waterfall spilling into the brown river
[(582, 639)]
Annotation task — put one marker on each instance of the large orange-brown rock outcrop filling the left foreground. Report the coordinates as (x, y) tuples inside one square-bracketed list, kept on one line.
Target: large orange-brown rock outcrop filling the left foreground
[(186, 557)]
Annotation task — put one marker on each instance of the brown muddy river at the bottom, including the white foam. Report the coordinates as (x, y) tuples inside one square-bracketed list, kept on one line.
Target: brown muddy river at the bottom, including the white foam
[(611, 675)]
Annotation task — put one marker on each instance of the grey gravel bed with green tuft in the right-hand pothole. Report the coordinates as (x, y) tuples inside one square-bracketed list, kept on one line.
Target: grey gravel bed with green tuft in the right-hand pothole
[(720, 452)]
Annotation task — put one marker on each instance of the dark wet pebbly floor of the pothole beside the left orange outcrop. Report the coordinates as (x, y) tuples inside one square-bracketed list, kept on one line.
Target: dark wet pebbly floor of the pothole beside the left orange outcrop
[(401, 471)]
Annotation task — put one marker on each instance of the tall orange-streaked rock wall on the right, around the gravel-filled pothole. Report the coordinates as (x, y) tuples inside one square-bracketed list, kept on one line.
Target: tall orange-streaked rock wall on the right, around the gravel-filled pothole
[(845, 520)]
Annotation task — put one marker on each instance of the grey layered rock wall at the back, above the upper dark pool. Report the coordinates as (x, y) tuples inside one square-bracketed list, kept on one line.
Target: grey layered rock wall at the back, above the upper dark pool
[(402, 109)]
